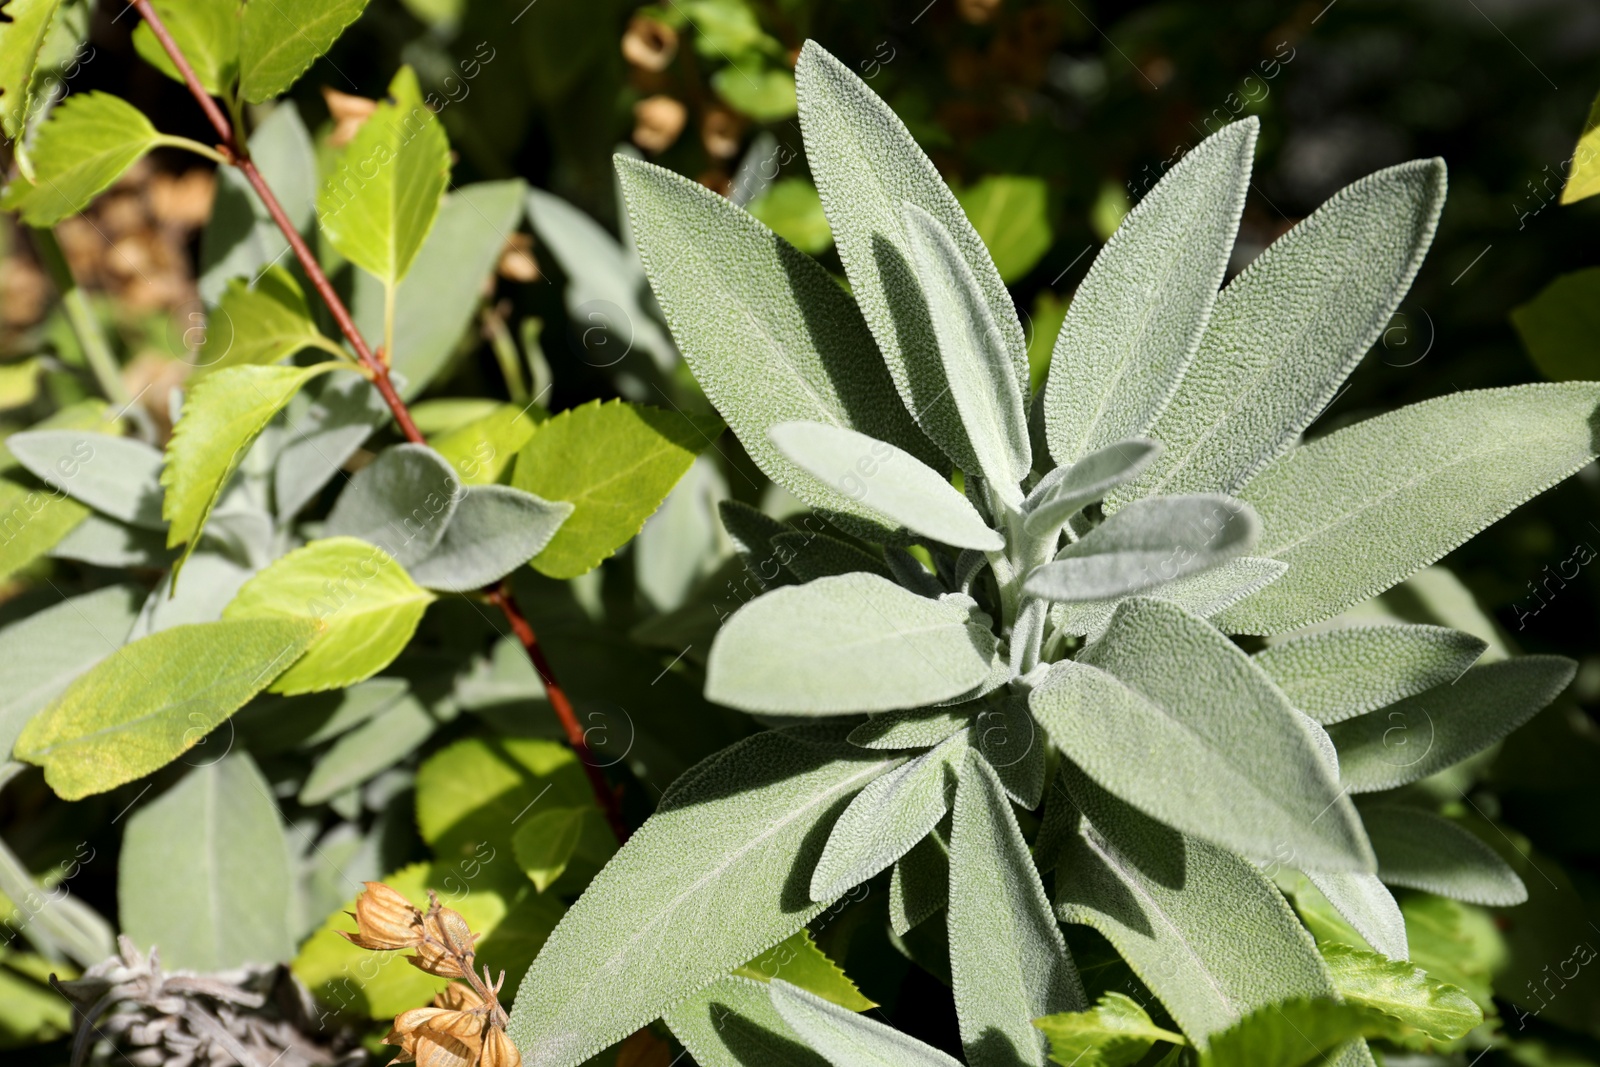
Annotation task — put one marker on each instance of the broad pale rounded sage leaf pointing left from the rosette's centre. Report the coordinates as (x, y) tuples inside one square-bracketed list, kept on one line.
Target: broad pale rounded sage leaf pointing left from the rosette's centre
[(844, 645)]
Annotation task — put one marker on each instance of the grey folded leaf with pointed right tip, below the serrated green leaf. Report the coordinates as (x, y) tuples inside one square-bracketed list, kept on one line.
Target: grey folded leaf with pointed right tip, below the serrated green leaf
[(494, 532)]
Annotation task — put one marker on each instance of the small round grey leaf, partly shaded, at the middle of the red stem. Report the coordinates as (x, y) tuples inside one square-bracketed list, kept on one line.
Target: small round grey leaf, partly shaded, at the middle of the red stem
[(402, 503)]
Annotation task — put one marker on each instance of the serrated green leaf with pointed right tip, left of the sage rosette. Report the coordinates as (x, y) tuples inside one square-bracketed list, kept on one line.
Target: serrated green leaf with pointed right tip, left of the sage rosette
[(615, 463)]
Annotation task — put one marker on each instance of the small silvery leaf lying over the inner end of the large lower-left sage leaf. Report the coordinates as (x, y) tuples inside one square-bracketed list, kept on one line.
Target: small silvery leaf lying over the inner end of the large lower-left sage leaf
[(887, 820)]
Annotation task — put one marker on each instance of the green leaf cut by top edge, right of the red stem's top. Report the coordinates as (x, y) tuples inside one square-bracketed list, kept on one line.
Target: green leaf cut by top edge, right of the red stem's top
[(281, 39)]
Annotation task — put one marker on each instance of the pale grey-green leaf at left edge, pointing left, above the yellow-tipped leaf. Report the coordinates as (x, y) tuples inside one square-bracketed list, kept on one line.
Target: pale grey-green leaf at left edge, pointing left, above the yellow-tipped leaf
[(116, 476)]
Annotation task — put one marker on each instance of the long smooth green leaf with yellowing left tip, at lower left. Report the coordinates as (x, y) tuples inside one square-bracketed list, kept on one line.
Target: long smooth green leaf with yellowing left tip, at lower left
[(154, 700)]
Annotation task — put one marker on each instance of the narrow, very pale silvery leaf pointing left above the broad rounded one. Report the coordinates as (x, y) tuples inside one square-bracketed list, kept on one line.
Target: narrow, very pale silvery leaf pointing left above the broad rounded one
[(887, 482)]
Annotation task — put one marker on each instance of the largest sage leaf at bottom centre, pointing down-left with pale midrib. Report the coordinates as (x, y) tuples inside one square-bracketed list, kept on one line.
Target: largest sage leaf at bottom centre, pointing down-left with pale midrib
[(716, 876)]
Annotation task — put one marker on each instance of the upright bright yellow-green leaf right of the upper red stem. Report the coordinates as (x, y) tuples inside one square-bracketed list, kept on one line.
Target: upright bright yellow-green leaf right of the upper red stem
[(383, 198)]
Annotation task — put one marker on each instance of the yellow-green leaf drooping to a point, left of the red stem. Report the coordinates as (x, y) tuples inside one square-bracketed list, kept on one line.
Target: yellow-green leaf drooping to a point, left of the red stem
[(223, 417)]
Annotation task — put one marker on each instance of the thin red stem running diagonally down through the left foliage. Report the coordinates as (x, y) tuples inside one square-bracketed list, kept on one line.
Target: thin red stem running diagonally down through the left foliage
[(378, 369)]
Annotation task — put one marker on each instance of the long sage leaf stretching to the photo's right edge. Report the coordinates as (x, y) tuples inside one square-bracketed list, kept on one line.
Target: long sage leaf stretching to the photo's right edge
[(1367, 506)]
